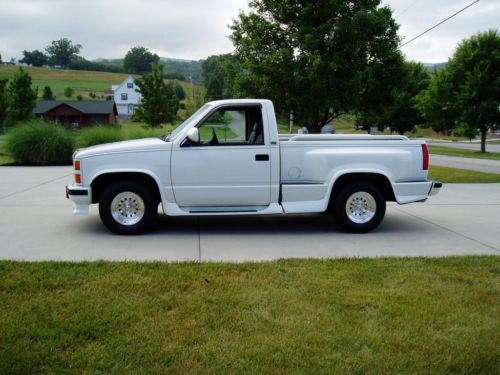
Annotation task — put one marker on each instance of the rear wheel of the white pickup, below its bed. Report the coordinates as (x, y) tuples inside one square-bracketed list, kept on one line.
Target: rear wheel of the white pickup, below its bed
[(359, 207)]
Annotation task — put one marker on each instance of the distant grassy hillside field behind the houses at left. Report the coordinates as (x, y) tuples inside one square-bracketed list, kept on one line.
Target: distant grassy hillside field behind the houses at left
[(83, 82)]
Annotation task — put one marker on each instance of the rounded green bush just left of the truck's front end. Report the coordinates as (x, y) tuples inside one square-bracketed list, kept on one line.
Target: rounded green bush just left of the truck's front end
[(40, 143)]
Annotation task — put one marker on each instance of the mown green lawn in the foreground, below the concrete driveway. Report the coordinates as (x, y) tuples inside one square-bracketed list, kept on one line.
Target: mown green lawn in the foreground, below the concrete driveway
[(297, 316)]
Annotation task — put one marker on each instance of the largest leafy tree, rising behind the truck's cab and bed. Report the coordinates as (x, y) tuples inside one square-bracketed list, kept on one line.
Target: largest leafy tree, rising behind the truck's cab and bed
[(318, 59)]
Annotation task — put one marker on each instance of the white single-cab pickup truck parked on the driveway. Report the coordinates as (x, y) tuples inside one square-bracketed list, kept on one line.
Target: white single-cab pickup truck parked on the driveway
[(228, 159)]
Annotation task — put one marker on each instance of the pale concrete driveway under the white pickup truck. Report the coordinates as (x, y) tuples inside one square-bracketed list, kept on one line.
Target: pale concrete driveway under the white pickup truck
[(37, 224)]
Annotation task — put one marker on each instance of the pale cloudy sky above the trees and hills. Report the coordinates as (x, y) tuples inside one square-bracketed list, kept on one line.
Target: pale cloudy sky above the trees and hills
[(196, 29)]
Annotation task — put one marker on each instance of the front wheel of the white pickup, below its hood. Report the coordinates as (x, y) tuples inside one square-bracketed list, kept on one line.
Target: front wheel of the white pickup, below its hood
[(128, 207)]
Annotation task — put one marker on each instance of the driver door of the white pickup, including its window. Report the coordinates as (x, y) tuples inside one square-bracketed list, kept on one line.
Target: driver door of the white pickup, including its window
[(229, 167)]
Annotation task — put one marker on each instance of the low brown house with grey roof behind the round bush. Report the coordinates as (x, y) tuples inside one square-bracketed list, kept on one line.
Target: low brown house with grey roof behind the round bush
[(81, 112)]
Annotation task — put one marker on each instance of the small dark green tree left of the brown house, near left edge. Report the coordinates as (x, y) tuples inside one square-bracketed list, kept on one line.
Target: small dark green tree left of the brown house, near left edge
[(23, 97)]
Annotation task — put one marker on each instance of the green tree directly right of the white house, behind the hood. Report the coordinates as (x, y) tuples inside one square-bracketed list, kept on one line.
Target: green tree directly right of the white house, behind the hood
[(159, 103)]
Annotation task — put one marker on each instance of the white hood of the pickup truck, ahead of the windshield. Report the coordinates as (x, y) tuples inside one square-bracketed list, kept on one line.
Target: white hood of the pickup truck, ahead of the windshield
[(146, 144)]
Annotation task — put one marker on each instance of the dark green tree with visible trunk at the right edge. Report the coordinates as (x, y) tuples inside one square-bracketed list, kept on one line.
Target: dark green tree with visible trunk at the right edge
[(475, 68)]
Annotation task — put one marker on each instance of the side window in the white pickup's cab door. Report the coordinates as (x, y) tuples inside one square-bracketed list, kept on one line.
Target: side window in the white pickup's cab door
[(233, 126)]
